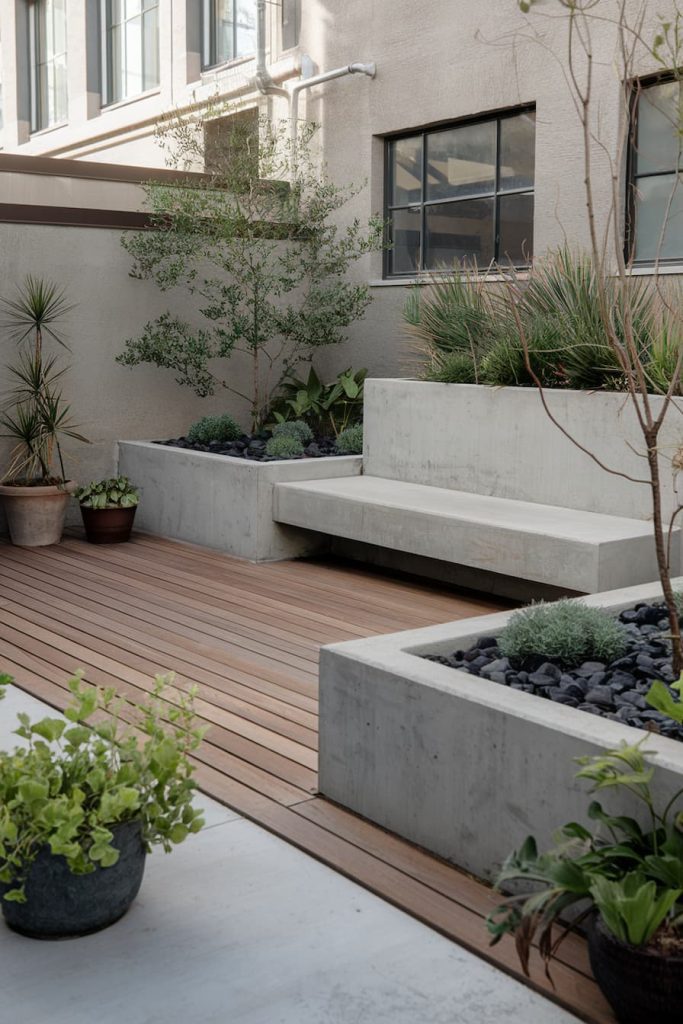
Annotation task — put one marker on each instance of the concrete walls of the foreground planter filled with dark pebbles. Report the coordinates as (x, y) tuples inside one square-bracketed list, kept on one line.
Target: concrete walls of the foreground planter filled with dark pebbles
[(458, 764)]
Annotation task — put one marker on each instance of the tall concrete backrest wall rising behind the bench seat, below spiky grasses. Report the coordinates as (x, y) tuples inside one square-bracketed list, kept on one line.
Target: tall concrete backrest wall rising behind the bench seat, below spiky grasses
[(501, 442)]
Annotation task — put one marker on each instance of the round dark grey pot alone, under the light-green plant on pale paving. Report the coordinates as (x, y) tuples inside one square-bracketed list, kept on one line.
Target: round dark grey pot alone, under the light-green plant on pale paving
[(61, 905)]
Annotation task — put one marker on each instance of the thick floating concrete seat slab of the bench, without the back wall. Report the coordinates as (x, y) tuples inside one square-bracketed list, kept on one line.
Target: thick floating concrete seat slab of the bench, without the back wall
[(582, 551)]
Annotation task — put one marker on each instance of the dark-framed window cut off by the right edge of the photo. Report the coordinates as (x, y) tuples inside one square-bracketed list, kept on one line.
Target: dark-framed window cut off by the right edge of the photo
[(657, 197)]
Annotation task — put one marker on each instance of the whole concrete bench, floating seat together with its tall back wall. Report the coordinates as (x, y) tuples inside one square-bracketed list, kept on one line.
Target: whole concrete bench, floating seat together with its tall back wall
[(480, 483)]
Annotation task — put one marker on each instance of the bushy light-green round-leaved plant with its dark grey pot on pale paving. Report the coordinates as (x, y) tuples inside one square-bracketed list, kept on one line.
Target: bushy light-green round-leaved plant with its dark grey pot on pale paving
[(84, 799)]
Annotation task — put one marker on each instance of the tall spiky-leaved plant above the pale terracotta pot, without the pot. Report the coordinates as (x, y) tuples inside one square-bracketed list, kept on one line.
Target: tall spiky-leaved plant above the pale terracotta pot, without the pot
[(37, 417)]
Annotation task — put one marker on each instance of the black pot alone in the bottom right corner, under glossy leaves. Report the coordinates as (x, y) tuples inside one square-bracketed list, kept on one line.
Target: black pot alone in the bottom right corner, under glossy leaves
[(642, 987)]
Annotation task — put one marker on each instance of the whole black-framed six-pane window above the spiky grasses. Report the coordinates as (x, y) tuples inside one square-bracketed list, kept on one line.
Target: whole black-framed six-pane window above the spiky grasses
[(463, 194)]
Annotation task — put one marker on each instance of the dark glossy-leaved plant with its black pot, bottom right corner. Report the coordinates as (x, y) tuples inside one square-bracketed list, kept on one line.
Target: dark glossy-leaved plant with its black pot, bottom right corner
[(625, 878)]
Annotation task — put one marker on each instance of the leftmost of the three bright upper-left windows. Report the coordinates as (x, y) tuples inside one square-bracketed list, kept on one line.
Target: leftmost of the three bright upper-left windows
[(48, 28)]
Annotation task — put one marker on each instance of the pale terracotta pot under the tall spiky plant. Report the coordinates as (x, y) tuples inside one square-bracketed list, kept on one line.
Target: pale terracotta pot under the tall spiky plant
[(36, 516)]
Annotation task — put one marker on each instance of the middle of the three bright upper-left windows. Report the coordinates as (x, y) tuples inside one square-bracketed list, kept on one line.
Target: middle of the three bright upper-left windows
[(132, 48)]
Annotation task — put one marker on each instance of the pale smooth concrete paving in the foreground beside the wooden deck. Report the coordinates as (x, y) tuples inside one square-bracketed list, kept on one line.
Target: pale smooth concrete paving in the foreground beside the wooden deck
[(238, 926)]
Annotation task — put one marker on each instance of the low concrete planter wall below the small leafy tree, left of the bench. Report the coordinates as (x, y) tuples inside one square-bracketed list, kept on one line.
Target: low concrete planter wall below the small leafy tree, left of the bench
[(223, 502)]
